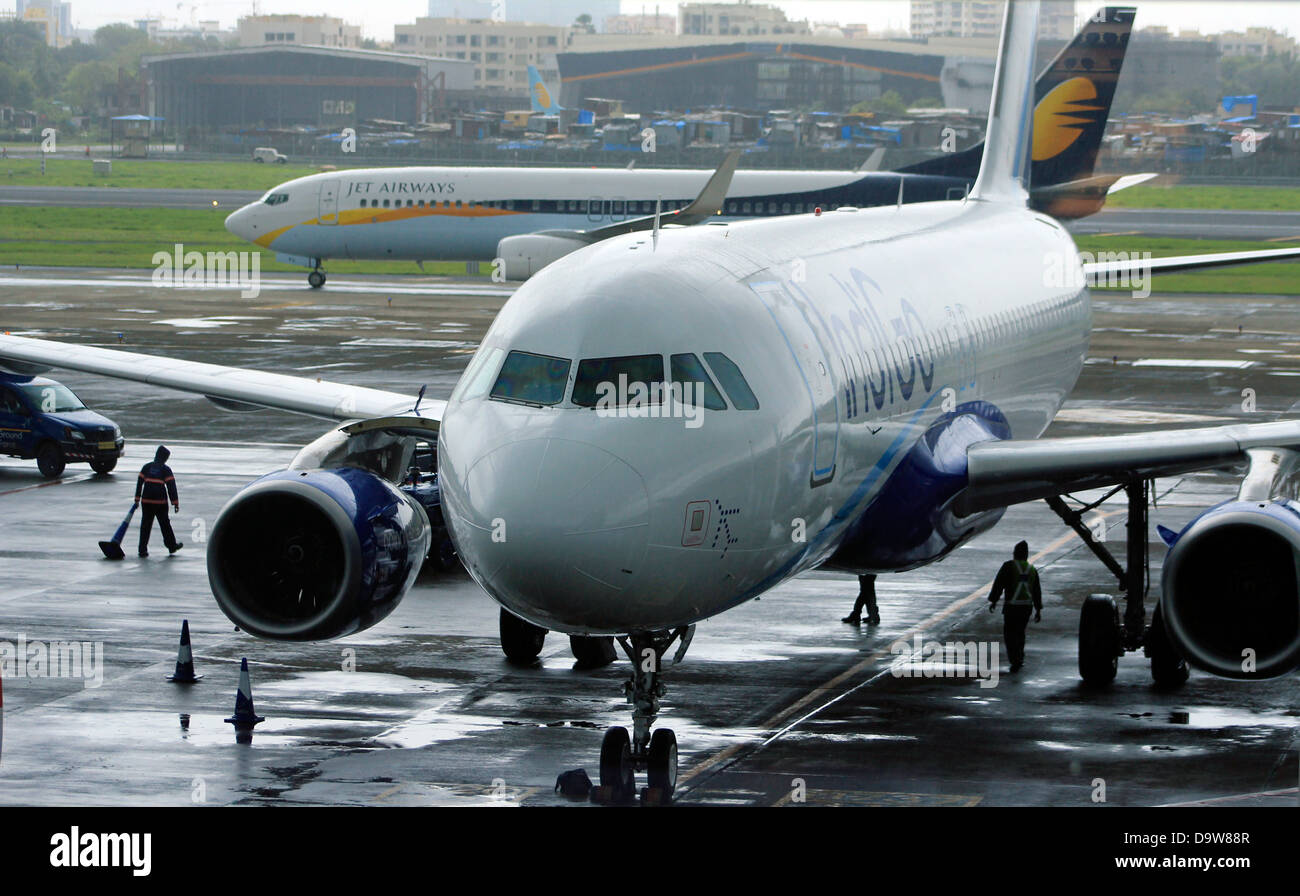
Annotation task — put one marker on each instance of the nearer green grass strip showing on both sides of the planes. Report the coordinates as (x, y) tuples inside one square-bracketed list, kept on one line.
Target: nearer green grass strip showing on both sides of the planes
[(129, 237)]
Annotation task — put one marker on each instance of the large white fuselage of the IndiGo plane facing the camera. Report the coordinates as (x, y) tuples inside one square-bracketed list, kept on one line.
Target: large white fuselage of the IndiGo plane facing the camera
[(860, 332)]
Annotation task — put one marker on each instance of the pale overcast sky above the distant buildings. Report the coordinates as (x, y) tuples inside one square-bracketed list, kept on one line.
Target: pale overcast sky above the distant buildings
[(378, 18)]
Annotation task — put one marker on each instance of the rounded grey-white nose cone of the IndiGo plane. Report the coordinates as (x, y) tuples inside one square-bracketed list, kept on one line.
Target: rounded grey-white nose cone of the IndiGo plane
[(556, 529)]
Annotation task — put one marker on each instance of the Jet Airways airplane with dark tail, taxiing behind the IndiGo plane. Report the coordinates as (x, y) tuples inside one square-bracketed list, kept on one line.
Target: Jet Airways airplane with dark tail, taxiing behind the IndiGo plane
[(531, 217)]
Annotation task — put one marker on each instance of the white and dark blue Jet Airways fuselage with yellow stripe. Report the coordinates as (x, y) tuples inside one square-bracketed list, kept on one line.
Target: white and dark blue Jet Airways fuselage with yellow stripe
[(462, 214)]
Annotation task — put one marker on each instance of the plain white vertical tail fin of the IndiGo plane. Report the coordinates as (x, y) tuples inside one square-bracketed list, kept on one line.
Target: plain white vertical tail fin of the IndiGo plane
[(1007, 141)]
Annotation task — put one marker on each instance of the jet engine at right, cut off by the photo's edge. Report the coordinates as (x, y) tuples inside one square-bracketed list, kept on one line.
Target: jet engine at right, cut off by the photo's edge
[(1232, 586)]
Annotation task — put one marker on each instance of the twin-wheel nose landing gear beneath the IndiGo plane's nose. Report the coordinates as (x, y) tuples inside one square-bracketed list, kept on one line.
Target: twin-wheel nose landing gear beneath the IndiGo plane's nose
[(623, 756)]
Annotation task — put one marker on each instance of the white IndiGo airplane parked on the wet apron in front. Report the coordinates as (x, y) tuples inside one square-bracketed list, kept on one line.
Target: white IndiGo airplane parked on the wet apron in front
[(661, 427)]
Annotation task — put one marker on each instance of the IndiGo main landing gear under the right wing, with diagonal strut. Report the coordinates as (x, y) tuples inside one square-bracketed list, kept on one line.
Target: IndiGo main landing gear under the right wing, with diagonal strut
[(1103, 635)]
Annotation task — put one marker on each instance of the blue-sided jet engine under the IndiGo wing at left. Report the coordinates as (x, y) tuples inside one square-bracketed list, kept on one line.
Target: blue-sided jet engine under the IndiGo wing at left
[(306, 556)]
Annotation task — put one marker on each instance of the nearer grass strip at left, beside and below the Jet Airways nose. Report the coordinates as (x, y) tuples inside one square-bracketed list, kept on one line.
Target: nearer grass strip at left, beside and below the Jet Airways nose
[(129, 237)]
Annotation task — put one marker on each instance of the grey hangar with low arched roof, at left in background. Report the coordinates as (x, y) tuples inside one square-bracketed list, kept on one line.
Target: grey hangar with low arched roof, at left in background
[(293, 86)]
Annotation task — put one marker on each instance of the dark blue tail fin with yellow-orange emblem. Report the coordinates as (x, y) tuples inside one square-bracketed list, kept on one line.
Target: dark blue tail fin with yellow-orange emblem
[(1073, 98)]
